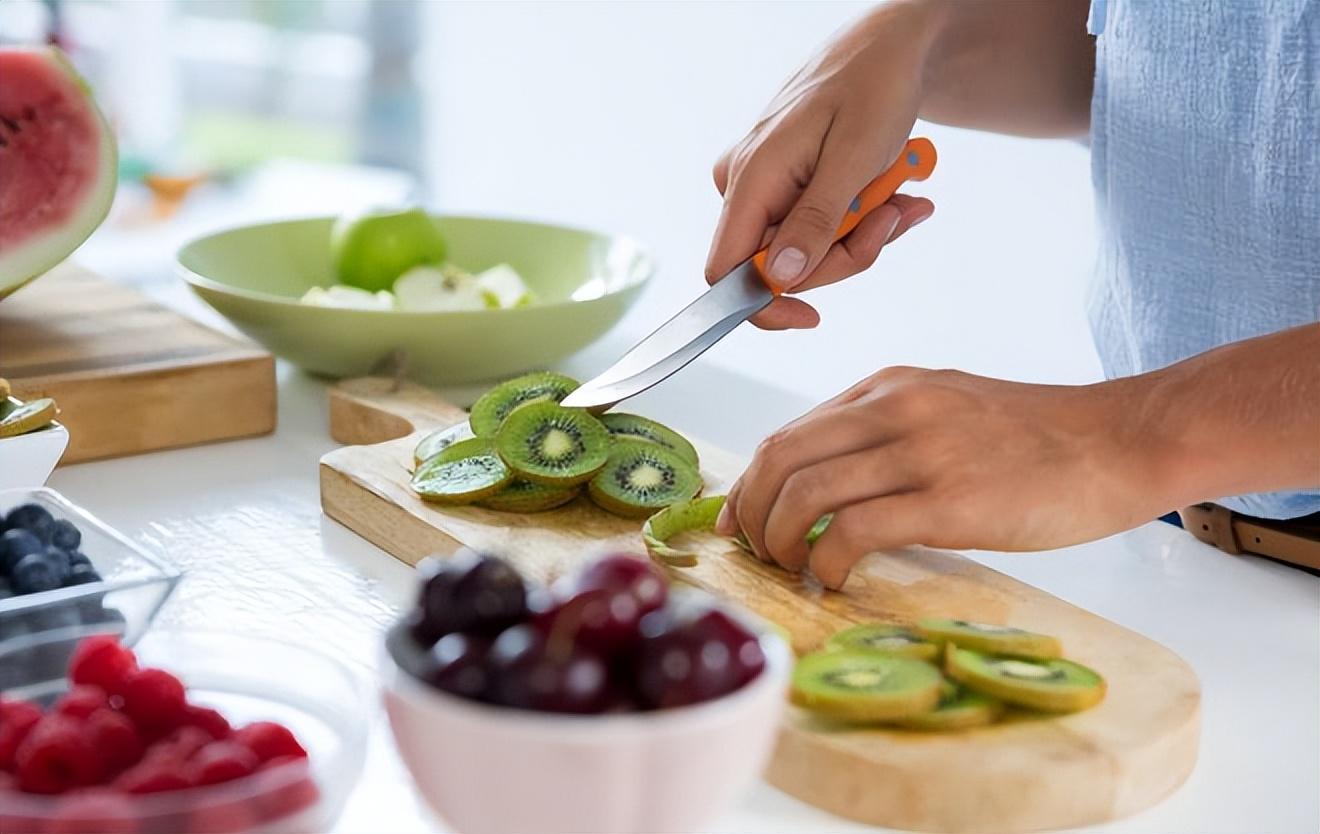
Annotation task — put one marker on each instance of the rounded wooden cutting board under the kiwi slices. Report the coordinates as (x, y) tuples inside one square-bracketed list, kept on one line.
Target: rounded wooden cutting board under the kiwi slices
[(1030, 775)]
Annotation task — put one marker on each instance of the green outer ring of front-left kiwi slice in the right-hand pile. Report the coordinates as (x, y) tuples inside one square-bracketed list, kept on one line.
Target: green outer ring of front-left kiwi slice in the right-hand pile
[(922, 696)]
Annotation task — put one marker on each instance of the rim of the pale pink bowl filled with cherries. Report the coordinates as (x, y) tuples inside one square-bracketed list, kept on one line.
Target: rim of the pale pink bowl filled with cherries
[(779, 660)]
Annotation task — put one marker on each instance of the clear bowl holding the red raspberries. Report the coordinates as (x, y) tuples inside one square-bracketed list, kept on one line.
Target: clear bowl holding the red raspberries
[(246, 679)]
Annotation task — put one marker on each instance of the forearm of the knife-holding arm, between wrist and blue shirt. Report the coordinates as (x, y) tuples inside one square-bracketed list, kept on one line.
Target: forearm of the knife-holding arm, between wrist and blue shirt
[(1010, 67)]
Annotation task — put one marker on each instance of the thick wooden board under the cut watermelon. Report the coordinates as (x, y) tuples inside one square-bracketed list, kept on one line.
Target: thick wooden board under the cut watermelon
[(129, 374)]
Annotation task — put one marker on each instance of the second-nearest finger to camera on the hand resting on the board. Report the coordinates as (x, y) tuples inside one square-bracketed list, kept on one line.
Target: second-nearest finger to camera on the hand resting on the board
[(824, 488)]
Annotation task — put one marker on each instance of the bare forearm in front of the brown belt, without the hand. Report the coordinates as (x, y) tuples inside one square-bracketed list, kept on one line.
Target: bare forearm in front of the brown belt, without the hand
[(1241, 419)]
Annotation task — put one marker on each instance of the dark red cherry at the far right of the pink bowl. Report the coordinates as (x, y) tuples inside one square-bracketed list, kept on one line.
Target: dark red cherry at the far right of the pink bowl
[(683, 662)]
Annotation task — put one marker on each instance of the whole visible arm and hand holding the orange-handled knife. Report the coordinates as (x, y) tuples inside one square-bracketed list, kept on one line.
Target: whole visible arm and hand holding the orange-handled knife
[(1021, 67)]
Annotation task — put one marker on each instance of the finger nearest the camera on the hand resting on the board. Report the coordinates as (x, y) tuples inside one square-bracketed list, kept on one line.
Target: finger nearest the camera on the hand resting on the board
[(876, 525)]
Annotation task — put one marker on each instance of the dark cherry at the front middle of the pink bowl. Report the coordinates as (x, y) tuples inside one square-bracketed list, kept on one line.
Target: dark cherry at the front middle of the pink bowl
[(533, 672)]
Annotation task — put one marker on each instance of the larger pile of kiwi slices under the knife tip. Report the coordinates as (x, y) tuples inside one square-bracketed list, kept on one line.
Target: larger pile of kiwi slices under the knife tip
[(522, 452)]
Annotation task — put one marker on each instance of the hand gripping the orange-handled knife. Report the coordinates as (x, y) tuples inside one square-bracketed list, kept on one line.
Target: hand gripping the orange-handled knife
[(839, 123)]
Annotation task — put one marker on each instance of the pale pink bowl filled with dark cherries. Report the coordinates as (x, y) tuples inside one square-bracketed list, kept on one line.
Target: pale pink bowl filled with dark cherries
[(492, 770)]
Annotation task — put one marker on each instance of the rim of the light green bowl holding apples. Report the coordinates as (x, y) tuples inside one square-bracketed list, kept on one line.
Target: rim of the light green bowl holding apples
[(197, 280)]
